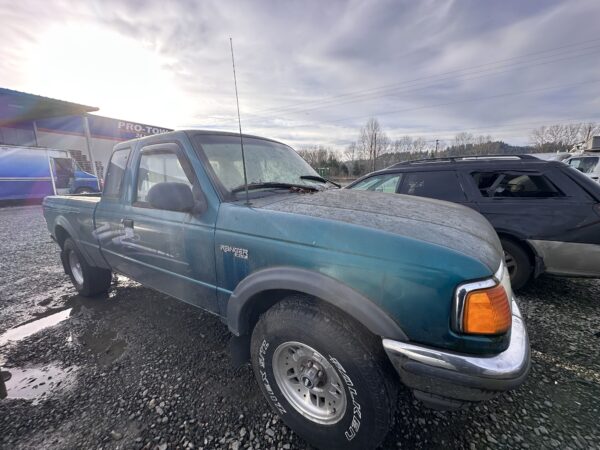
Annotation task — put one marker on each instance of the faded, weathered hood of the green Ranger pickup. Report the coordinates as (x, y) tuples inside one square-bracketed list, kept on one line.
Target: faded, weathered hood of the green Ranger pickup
[(437, 222)]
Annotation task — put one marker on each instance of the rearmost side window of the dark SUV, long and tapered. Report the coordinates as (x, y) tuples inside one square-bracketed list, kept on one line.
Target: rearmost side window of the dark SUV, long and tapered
[(514, 184)]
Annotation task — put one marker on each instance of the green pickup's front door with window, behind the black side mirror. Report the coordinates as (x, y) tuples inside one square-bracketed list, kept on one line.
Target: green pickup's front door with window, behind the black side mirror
[(170, 251)]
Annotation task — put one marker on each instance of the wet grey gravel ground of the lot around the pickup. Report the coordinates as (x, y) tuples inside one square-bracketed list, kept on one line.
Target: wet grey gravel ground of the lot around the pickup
[(136, 369)]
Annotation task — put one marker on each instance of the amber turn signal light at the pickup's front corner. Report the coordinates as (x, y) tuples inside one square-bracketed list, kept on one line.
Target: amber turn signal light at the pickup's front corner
[(487, 311)]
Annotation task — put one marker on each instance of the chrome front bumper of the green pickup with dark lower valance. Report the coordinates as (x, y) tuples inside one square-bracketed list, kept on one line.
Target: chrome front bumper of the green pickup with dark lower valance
[(447, 380)]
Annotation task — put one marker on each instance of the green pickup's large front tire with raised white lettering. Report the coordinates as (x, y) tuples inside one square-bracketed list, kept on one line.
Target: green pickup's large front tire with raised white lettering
[(348, 350)]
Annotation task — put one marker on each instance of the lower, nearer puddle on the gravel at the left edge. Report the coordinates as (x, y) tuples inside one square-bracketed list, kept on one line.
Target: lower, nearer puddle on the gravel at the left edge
[(37, 382)]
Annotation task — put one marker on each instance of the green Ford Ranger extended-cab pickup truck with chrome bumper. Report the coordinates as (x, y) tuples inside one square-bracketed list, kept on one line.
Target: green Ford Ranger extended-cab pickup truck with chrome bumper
[(334, 296)]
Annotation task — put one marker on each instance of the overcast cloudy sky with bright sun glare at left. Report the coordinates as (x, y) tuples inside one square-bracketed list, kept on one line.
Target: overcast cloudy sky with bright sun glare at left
[(313, 72)]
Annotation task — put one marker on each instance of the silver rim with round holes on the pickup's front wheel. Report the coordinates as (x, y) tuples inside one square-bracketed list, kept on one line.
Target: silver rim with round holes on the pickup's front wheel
[(309, 383)]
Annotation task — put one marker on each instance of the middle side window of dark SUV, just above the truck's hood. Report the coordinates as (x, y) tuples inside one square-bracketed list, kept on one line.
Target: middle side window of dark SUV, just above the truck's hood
[(442, 185)]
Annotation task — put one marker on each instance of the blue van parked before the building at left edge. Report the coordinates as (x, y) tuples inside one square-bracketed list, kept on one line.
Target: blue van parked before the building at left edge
[(29, 173)]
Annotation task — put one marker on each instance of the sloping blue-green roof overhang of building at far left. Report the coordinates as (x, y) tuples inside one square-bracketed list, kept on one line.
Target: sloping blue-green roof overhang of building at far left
[(16, 106)]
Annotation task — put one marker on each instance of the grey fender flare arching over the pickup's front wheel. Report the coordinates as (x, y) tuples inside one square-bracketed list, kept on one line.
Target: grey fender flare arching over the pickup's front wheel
[(242, 300)]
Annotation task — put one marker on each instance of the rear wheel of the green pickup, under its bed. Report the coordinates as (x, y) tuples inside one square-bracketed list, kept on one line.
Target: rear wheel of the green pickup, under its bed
[(88, 280)]
